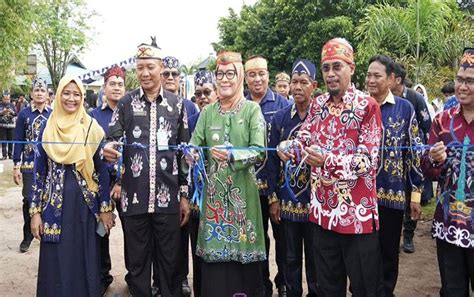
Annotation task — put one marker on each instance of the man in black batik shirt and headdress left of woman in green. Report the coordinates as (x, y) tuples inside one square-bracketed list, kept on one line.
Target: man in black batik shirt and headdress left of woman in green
[(152, 122)]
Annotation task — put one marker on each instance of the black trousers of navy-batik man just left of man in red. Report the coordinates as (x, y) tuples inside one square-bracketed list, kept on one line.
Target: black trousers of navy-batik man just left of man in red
[(294, 237)]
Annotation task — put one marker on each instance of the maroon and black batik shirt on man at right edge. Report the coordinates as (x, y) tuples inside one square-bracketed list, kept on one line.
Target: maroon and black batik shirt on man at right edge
[(454, 216)]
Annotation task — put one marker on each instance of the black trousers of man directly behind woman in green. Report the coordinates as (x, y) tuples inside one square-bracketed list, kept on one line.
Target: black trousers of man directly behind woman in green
[(279, 278)]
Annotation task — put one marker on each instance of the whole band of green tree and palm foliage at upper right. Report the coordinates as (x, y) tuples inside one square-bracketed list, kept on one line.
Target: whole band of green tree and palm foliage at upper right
[(284, 30)]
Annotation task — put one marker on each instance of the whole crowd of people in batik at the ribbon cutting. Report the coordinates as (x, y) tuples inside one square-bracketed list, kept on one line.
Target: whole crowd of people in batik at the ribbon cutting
[(340, 176)]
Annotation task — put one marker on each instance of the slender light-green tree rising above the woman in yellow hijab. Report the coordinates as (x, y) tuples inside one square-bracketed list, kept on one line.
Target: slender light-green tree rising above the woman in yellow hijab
[(60, 32)]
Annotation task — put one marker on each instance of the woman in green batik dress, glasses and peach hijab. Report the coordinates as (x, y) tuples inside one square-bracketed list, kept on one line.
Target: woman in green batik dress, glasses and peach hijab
[(231, 240)]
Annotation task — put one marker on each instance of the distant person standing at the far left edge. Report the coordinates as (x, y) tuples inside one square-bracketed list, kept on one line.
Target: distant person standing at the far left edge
[(7, 125)]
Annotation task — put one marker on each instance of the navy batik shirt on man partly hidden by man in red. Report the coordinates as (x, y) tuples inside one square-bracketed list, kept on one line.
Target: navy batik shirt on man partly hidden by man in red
[(295, 205)]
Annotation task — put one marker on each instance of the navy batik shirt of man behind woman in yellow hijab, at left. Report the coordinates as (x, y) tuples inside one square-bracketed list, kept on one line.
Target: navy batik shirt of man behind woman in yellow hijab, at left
[(29, 123)]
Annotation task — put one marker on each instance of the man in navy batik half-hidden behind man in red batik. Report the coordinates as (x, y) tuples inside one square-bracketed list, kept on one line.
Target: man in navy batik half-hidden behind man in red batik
[(291, 205)]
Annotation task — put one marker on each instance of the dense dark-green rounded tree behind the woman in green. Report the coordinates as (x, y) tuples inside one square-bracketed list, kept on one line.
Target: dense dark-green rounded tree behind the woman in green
[(283, 31)]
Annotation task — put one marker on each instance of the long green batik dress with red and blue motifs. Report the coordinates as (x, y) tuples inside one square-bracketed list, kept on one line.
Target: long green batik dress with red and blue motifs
[(230, 224)]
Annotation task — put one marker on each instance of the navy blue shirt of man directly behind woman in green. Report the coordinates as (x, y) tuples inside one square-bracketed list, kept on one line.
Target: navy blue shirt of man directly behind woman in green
[(270, 104)]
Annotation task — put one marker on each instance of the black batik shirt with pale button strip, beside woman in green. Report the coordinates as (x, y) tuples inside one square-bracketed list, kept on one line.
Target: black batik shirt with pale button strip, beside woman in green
[(154, 177)]
